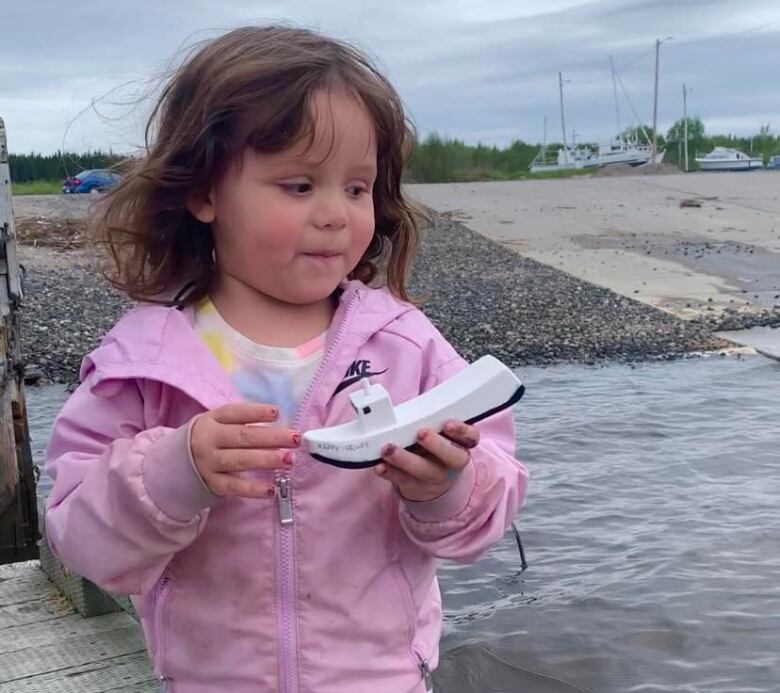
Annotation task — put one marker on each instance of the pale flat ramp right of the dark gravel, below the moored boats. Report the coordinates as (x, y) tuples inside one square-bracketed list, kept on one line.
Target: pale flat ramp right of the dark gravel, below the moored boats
[(701, 246)]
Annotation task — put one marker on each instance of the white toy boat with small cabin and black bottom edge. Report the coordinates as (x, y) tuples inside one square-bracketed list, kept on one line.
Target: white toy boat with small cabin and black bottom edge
[(484, 388)]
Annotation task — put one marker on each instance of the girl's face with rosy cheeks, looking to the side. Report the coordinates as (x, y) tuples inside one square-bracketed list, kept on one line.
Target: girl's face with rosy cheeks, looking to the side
[(291, 225)]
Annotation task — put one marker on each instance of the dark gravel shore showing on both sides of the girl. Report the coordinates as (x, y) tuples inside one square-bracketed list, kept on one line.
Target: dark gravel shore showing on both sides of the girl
[(483, 297)]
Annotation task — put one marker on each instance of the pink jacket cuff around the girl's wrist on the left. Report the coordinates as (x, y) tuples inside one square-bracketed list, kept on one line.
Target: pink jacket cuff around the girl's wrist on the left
[(172, 480)]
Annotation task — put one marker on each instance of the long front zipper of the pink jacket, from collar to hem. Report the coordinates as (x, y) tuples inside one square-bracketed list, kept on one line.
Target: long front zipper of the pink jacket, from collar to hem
[(286, 545)]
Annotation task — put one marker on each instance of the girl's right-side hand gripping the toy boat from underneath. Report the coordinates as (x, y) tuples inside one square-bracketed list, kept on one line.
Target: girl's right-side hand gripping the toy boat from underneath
[(434, 467)]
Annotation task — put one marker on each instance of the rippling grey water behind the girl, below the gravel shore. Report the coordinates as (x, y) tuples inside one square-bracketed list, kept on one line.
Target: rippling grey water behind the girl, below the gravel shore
[(652, 530)]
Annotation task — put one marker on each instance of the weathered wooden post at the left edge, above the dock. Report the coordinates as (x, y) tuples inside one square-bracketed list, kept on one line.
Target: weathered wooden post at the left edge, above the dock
[(18, 501)]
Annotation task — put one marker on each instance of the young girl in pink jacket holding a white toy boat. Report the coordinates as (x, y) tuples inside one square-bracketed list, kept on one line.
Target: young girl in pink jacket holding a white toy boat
[(267, 202)]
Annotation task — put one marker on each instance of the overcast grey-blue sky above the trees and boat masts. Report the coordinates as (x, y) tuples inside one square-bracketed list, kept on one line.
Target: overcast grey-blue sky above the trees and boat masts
[(77, 75)]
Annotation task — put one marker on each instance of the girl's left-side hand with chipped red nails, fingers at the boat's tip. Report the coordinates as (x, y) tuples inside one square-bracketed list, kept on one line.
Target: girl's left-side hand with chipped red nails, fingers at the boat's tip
[(224, 443)]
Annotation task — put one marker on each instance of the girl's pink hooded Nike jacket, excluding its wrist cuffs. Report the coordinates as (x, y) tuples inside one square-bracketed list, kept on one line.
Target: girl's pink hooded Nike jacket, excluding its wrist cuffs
[(343, 599)]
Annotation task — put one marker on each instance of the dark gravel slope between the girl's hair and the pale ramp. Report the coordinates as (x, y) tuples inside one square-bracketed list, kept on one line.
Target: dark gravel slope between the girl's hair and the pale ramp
[(487, 299)]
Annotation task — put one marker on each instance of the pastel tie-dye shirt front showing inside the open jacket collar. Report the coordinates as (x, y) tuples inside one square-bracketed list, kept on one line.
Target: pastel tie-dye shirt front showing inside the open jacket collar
[(273, 375)]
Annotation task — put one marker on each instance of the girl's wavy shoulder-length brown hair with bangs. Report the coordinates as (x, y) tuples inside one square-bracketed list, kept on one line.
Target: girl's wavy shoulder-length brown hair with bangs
[(198, 128)]
